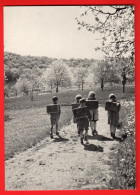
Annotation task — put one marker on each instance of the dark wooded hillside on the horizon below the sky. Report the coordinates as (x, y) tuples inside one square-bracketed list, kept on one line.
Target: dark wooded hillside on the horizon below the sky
[(16, 65)]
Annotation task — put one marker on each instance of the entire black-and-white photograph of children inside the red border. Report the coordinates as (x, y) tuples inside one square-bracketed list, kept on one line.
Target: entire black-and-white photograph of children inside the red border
[(69, 97)]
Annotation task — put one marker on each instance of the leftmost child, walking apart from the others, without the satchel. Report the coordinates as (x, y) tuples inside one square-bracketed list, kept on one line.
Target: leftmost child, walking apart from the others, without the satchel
[(55, 117)]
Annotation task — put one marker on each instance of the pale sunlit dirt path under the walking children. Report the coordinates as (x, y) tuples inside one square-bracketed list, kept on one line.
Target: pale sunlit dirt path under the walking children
[(63, 163)]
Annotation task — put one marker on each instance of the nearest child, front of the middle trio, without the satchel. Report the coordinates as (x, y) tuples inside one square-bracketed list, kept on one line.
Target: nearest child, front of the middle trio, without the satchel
[(83, 123)]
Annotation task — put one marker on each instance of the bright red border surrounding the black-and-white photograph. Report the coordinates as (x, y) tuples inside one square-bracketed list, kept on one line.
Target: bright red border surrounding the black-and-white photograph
[(136, 3)]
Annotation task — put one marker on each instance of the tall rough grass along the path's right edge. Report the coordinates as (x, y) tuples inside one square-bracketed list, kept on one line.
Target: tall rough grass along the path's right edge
[(124, 161)]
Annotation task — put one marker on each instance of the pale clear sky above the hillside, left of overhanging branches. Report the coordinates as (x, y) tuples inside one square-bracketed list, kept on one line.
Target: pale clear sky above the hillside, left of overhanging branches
[(50, 31)]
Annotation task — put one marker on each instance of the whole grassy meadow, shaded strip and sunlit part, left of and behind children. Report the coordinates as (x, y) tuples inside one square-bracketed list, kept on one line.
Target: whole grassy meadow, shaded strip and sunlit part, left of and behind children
[(28, 122)]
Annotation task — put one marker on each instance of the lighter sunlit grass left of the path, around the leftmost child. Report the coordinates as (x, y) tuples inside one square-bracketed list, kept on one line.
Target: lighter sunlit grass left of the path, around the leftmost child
[(26, 127)]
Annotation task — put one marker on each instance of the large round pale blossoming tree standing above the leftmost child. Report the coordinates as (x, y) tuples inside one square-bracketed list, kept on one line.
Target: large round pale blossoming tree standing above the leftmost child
[(57, 75)]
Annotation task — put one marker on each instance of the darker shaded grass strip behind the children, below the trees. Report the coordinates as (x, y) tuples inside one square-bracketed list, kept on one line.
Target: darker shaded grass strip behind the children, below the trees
[(68, 97)]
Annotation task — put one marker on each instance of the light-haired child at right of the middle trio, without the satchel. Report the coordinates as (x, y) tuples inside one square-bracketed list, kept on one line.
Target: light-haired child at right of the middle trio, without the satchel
[(94, 114)]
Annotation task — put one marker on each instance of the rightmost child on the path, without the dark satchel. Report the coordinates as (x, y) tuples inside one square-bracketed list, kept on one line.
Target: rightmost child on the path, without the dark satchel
[(113, 117)]
